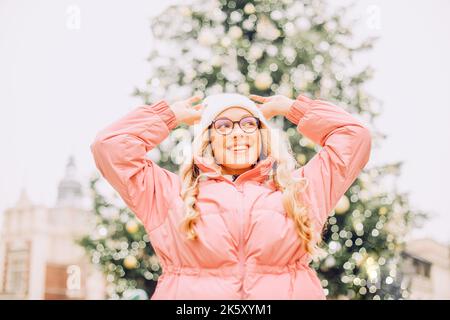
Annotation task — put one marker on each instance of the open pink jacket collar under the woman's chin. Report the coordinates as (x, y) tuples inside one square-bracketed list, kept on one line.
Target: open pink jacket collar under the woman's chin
[(259, 172)]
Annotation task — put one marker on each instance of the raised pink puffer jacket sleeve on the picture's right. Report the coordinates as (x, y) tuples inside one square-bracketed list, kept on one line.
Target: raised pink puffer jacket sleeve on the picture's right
[(346, 145)]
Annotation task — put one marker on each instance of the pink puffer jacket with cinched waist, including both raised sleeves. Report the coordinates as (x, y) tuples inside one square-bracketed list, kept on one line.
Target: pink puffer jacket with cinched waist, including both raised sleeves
[(247, 248)]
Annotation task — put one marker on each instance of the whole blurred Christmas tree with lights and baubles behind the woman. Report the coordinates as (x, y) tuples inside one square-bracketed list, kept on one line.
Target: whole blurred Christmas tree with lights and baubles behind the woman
[(271, 47)]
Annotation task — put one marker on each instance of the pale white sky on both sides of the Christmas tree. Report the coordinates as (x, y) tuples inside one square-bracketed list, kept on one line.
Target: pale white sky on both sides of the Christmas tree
[(59, 86)]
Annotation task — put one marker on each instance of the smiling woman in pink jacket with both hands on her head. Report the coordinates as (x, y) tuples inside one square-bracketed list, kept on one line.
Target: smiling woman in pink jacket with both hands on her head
[(241, 220)]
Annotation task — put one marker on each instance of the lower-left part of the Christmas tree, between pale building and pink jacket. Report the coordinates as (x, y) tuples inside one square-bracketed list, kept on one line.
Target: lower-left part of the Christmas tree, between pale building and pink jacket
[(120, 246)]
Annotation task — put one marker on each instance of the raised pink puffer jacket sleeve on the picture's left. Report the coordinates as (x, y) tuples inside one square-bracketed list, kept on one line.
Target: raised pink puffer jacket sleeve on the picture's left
[(119, 152)]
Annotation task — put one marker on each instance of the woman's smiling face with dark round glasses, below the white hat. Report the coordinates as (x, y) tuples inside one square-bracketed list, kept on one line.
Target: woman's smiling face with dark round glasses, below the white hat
[(238, 150)]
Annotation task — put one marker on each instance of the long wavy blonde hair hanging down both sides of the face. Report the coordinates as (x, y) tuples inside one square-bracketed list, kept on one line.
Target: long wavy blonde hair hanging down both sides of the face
[(277, 147)]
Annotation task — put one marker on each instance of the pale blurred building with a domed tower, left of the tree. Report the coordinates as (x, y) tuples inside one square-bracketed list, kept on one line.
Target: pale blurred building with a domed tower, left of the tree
[(39, 256)]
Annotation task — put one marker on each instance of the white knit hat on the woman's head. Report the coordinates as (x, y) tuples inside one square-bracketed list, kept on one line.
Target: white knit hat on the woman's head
[(216, 103)]
